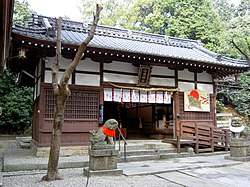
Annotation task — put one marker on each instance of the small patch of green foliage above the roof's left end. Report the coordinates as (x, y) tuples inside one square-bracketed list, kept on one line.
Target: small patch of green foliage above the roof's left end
[(22, 12)]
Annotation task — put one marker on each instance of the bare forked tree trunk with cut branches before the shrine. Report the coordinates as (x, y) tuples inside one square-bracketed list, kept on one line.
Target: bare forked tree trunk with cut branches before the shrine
[(61, 93)]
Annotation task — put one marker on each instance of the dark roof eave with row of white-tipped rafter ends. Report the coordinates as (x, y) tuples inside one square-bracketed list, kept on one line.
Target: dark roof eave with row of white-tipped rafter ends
[(149, 58)]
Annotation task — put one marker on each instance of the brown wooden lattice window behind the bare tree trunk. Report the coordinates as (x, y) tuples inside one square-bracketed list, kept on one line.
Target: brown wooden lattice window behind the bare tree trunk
[(80, 105)]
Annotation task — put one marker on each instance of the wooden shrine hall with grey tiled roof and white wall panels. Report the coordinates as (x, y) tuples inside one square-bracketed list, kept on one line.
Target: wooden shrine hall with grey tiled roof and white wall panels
[(155, 86)]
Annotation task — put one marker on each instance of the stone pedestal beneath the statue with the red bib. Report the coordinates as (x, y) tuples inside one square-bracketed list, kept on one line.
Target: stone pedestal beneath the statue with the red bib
[(103, 162)]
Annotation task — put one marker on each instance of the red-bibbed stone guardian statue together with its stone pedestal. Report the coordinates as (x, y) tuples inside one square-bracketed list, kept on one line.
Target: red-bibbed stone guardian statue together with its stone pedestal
[(102, 154)]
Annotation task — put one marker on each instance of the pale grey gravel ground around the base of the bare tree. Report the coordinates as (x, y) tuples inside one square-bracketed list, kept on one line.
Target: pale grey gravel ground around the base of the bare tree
[(75, 178)]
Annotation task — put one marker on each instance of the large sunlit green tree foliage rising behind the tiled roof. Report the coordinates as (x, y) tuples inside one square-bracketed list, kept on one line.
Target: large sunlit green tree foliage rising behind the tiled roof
[(216, 23)]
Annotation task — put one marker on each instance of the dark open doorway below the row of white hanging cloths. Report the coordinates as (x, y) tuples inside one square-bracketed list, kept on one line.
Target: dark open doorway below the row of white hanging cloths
[(141, 120)]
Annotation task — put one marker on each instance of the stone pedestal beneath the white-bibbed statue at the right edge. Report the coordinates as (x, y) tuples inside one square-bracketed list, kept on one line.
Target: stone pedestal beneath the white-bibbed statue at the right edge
[(239, 149)]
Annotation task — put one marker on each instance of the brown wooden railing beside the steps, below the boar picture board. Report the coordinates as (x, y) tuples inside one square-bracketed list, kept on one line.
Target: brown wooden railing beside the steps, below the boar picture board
[(202, 138)]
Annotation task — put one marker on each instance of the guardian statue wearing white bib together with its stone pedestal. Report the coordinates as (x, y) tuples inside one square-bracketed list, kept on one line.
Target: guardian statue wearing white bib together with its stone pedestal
[(239, 144)]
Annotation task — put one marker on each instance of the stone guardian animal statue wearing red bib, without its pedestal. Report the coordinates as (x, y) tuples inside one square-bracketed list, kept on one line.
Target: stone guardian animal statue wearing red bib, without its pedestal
[(104, 137)]
